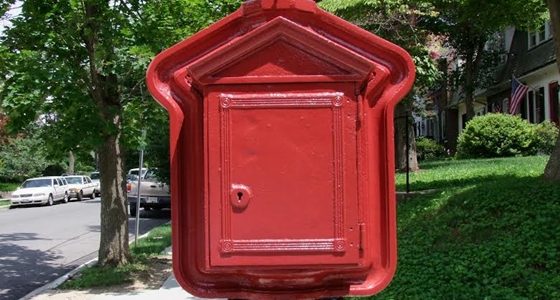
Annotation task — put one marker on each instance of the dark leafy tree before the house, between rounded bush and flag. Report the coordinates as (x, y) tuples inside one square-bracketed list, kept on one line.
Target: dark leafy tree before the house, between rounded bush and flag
[(468, 26)]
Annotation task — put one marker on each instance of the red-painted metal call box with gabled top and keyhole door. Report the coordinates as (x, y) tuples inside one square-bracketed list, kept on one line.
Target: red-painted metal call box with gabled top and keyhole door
[(282, 157)]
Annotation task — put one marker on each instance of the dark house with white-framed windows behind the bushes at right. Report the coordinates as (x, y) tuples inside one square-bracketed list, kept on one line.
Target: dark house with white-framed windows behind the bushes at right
[(529, 57)]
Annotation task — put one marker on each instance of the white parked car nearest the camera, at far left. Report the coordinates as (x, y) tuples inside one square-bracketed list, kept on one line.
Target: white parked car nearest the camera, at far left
[(40, 190)]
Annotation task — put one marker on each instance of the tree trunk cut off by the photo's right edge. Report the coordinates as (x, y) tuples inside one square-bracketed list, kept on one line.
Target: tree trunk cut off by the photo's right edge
[(552, 170)]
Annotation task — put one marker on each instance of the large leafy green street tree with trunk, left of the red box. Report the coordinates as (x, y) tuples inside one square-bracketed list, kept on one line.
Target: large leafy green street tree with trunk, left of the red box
[(77, 68)]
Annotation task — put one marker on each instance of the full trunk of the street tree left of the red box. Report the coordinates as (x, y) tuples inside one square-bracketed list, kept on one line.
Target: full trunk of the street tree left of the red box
[(104, 90)]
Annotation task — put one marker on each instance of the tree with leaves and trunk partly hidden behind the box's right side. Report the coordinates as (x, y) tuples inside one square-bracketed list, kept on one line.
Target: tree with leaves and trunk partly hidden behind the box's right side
[(397, 21)]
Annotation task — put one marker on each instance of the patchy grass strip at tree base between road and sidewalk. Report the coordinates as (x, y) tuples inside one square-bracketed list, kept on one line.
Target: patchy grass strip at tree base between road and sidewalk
[(148, 248)]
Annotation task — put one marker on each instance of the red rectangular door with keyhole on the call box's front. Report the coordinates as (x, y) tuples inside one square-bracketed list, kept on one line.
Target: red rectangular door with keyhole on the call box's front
[(283, 179)]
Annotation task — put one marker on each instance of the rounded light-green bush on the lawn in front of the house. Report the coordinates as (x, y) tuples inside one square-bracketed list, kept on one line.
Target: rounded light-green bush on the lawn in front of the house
[(497, 135)]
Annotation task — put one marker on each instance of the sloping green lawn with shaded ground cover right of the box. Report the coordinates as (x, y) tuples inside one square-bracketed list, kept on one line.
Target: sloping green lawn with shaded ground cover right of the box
[(490, 231)]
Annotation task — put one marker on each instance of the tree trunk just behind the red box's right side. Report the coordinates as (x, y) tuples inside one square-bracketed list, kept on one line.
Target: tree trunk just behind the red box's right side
[(400, 139)]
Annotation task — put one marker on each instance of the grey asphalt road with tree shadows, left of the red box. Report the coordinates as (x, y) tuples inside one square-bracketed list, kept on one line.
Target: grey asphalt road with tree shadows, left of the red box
[(39, 244)]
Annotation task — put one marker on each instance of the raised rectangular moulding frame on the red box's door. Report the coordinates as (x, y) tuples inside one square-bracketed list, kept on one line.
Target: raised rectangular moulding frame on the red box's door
[(227, 102)]
